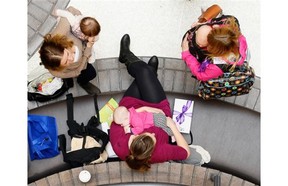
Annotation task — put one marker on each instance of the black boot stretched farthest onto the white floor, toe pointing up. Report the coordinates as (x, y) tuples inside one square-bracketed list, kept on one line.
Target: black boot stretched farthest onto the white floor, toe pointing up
[(126, 56)]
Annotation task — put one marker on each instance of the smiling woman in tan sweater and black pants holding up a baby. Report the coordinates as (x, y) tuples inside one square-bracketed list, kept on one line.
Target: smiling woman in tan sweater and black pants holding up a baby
[(65, 57)]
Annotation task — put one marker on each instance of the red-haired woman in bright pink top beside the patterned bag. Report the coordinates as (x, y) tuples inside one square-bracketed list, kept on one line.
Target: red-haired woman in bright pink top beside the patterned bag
[(215, 46)]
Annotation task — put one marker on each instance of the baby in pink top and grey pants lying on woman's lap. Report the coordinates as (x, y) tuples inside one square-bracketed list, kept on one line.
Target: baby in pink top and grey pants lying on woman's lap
[(135, 122)]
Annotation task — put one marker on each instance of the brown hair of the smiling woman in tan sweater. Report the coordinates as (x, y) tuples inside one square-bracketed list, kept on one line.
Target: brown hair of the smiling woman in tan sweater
[(52, 50)]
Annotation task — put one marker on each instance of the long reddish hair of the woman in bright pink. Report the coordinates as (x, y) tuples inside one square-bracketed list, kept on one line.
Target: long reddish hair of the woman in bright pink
[(223, 40)]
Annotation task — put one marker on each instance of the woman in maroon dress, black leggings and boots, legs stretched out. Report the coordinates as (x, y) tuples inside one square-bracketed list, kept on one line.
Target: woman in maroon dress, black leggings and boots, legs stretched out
[(147, 94)]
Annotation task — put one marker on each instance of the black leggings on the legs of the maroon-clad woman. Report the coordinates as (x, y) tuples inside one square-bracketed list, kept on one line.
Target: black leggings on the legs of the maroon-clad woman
[(146, 85)]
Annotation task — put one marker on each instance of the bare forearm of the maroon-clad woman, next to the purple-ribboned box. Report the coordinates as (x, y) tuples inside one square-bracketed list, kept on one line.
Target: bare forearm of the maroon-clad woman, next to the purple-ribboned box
[(180, 140)]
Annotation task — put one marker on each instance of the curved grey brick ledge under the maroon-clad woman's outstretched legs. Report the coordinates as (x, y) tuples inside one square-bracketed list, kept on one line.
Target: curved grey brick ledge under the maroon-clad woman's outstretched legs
[(173, 74)]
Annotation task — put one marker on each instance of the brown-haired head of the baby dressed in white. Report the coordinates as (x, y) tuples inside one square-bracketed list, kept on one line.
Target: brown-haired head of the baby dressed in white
[(90, 26)]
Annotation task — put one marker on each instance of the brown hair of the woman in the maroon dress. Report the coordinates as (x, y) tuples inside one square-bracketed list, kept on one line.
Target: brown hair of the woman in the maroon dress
[(141, 150)]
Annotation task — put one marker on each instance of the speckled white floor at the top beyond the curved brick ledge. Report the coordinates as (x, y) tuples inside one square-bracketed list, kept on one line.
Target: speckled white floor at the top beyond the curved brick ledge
[(157, 27)]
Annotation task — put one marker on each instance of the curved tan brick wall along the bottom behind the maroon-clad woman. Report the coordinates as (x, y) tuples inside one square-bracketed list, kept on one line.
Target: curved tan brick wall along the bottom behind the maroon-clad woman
[(161, 173)]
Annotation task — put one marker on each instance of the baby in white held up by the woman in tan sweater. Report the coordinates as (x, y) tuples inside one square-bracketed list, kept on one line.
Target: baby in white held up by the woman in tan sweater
[(84, 28)]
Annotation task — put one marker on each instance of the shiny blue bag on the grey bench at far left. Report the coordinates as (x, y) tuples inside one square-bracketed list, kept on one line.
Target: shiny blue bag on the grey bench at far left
[(42, 137)]
